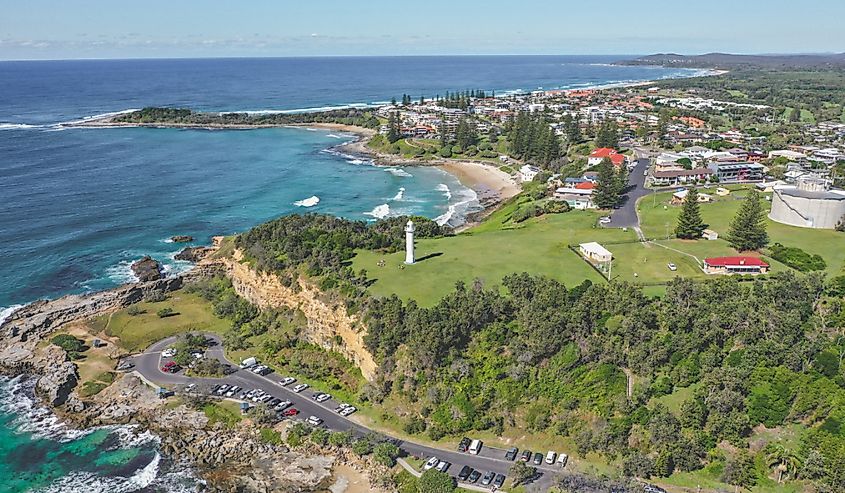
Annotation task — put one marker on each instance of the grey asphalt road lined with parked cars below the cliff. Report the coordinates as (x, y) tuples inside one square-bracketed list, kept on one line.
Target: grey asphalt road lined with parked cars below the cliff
[(493, 459)]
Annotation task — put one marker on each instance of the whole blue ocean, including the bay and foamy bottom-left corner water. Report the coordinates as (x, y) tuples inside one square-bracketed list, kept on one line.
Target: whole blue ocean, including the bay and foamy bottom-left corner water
[(78, 205)]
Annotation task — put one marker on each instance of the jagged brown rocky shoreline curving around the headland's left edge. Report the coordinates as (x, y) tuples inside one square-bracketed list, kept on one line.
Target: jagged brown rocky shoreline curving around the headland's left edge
[(229, 460)]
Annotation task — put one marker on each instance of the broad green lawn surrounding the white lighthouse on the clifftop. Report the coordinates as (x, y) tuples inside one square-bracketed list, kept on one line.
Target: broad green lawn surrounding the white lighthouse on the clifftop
[(490, 252)]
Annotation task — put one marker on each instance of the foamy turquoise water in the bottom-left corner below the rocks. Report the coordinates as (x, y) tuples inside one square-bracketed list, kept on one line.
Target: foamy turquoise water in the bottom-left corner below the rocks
[(39, 453)]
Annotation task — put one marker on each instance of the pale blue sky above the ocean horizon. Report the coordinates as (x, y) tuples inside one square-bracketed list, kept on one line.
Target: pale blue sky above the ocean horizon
[(39, 29)]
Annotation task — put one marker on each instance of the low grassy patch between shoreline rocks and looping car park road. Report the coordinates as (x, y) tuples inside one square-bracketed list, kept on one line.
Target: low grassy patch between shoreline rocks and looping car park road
[(136, 332)]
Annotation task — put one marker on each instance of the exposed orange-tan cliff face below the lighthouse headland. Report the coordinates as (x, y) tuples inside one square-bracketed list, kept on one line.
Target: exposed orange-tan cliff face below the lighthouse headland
[(326, 323)]
